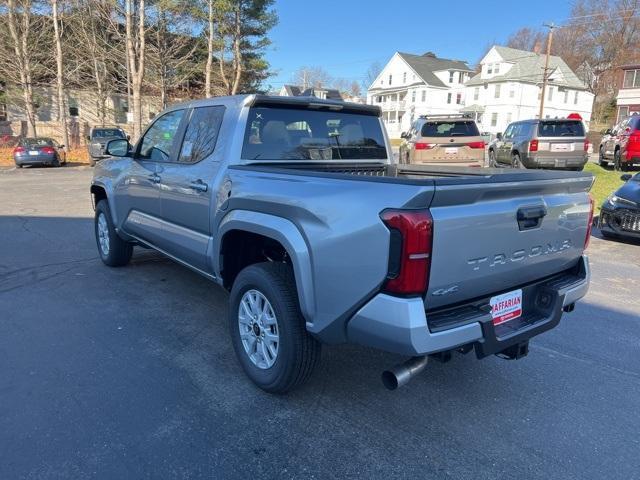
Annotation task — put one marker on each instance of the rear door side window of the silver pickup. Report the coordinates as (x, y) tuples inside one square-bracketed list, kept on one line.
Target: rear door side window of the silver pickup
[(202, 134)]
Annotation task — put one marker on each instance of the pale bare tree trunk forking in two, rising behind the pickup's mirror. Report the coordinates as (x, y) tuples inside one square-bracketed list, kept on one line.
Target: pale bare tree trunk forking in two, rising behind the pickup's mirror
[(136, 43)]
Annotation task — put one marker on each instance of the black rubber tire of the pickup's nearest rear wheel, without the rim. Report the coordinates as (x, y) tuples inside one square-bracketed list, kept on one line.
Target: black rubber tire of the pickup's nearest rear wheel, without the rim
[(298, 352)]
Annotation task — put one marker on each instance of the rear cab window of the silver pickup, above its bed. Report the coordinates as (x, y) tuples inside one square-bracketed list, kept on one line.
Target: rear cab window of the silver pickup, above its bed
[(300, 133)]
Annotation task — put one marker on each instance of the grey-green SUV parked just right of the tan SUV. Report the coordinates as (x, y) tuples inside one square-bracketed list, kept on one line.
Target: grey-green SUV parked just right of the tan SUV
[(549, 144)]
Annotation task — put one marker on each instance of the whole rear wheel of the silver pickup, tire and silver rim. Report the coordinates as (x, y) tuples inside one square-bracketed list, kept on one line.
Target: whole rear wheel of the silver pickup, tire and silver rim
[(268, 330)]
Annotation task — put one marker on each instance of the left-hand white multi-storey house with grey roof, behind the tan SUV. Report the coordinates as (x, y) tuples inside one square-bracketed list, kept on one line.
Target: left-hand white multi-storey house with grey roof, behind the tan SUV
[(413, 85)]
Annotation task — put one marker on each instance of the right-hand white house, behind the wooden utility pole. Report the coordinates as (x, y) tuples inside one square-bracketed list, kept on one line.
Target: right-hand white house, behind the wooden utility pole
[(509, 85)]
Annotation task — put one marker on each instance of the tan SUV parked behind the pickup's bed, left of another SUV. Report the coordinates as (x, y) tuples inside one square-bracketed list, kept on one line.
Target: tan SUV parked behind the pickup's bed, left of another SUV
[(448, 140)]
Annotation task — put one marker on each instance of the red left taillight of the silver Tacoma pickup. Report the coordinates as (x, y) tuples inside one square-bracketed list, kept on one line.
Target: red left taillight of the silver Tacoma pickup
[(411, 252)]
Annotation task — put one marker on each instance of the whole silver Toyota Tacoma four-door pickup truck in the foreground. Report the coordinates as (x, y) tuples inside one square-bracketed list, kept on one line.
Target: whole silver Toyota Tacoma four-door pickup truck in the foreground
[(296, 207)]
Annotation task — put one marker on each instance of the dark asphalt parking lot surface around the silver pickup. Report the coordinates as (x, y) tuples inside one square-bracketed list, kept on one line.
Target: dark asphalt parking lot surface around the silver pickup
[(129, 373)]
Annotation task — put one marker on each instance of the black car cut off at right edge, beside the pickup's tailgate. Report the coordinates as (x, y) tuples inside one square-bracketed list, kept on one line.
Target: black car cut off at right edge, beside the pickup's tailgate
[(620, 213)]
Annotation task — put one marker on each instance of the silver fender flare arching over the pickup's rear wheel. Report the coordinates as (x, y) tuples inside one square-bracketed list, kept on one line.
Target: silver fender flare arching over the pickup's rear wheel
[(283, 231)]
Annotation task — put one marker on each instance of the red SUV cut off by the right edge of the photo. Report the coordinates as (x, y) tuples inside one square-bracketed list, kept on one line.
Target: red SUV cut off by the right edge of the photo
[(621, 145)]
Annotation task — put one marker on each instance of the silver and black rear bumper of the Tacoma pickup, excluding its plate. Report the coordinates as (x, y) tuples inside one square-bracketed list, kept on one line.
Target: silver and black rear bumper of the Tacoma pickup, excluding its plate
[(401, 325)]
